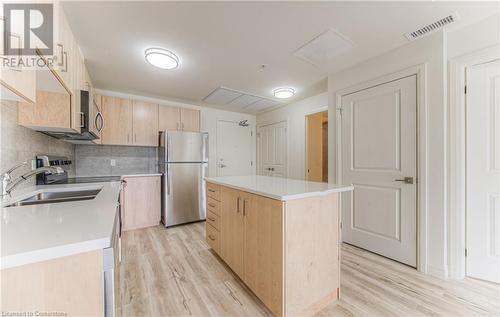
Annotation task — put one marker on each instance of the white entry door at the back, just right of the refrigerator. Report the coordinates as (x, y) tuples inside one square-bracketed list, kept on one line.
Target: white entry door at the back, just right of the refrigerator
[(234, 149)]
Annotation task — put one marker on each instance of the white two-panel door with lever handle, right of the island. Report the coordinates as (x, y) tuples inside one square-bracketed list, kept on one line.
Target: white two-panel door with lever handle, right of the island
[(378, 153)]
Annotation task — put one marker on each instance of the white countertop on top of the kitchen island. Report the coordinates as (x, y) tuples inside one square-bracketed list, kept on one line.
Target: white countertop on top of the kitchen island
[(277, 187)]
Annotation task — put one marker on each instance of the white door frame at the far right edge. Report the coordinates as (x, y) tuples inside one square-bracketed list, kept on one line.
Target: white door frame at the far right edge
[(456, 153)]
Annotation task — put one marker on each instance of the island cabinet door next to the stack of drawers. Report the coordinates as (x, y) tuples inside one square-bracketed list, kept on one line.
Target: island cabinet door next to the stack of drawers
[(232, 229)]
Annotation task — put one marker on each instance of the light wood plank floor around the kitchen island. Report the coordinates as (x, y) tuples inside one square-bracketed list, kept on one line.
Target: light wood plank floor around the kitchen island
[(172, 272)]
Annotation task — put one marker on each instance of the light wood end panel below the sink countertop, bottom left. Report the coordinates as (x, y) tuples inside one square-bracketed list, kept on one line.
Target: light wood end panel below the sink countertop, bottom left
[(72, 285)]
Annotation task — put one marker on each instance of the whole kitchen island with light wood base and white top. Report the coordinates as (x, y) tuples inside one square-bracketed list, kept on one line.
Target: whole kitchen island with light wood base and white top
[(280, 236)]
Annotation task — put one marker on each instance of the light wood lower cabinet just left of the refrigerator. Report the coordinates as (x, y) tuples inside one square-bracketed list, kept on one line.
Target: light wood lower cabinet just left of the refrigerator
[(141, 201)]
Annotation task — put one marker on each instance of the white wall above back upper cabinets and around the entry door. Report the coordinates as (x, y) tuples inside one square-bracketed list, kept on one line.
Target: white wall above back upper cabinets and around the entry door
[(208, 122)]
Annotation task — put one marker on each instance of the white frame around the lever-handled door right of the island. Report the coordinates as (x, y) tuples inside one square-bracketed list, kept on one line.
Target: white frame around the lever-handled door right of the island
[(420, 71)]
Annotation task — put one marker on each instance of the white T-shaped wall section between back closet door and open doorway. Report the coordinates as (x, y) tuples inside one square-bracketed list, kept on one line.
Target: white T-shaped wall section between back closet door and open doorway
[(294, 114)]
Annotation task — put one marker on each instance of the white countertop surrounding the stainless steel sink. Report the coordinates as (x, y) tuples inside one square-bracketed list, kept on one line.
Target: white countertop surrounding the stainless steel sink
[(37, 233)]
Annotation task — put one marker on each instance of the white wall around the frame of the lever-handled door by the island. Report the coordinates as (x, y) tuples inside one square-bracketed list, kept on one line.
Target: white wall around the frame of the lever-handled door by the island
[(429, 51)]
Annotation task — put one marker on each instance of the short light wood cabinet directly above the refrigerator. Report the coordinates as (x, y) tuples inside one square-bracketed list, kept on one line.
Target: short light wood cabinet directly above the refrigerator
[(181, 119)]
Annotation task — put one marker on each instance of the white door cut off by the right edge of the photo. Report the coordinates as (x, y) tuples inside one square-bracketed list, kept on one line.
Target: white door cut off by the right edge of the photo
[(483, 171)]
